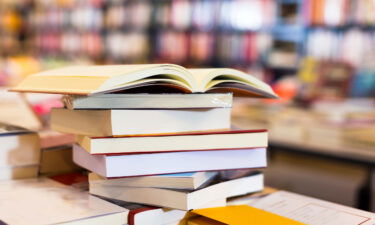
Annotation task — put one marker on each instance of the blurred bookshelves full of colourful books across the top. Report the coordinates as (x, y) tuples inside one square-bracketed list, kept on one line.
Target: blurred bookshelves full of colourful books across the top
[(269, 38)]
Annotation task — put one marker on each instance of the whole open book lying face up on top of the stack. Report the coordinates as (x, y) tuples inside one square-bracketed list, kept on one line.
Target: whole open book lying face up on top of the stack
[(87, 80)]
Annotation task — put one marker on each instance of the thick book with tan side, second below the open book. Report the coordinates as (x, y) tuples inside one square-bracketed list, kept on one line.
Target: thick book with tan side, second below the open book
[(133, 122)]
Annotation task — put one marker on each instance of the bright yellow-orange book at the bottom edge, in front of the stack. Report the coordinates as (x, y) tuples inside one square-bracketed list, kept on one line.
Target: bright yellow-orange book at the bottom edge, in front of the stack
[(238, 215)]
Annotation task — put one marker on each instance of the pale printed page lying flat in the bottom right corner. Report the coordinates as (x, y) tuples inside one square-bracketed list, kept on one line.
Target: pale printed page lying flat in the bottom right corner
[(312, 211)]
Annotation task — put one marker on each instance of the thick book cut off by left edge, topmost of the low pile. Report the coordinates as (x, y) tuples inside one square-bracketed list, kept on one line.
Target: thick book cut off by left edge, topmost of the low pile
[(19, 146)]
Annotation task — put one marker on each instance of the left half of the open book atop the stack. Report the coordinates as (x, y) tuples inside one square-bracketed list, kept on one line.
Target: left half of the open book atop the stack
[(84, 80)]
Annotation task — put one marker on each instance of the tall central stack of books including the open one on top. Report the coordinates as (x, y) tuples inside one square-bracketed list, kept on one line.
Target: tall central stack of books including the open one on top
[(157, 149)]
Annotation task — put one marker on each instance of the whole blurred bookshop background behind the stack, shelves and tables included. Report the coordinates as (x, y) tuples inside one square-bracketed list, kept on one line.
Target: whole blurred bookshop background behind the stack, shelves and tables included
[(319, 56)]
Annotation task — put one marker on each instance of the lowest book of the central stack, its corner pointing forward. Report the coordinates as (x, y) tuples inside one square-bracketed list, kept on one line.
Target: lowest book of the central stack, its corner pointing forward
[(182, 199)]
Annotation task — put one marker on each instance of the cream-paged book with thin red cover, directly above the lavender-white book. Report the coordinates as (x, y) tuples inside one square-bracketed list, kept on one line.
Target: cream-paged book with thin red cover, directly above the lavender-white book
[(198, 141)]
